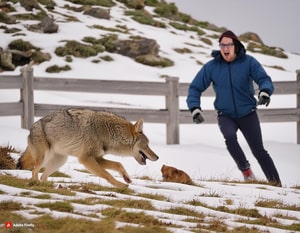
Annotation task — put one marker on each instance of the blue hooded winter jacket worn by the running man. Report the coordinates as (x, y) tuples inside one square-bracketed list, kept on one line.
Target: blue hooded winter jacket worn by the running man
[(232, 83)]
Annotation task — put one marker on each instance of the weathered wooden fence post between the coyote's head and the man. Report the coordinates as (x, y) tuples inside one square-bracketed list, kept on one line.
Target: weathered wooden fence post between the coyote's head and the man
[(172, 106)]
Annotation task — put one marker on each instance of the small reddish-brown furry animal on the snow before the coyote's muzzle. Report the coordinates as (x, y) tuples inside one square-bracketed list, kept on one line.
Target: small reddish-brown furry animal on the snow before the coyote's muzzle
[(172, 174)]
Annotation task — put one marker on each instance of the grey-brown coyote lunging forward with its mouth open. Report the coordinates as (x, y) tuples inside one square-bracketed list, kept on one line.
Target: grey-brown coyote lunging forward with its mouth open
[(89, 135)]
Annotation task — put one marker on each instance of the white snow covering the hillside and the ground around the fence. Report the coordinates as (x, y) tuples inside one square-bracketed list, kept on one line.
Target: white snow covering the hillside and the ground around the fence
[(201, 152)]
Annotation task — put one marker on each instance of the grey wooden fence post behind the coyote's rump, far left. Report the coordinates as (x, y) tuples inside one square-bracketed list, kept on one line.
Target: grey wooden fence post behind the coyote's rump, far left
[(27, 118)]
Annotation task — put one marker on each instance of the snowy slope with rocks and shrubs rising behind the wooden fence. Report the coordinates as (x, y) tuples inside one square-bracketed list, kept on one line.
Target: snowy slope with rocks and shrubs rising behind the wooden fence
[(95, 33)]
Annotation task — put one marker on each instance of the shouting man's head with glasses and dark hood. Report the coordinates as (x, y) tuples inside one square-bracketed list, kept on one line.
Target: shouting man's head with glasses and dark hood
[(229, 46)]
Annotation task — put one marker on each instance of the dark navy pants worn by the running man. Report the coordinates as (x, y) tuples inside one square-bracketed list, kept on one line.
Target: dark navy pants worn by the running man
[(250, 128)]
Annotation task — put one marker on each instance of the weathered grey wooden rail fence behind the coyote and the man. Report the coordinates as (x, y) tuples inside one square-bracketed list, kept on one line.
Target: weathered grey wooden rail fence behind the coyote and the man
[(171, 89)]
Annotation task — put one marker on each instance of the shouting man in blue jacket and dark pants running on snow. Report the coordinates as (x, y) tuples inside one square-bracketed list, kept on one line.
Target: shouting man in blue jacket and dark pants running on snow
[(232, 73)]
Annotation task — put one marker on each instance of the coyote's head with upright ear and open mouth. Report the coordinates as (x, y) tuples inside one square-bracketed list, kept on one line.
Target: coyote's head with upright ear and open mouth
[(141, 147)]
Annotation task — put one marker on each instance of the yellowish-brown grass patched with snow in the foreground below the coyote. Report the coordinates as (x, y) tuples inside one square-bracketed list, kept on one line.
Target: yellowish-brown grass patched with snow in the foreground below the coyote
[(111, 205)]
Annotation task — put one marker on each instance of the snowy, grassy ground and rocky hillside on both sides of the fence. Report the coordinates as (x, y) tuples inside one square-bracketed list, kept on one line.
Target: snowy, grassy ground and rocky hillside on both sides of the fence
[(85, 47)]
